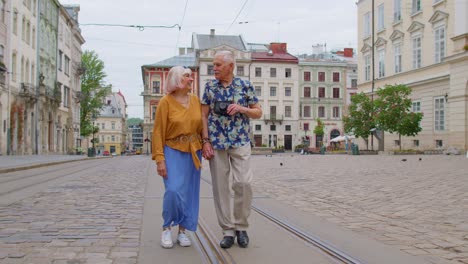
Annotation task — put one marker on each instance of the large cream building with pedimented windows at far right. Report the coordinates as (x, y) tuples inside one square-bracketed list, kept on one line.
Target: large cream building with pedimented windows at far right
[(424, 45)]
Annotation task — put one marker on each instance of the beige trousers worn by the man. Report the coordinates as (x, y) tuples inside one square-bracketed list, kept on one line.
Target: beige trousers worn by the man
[(226, 165)]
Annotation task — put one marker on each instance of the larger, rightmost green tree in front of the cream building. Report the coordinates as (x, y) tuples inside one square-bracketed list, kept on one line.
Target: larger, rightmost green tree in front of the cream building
[(393, 108)]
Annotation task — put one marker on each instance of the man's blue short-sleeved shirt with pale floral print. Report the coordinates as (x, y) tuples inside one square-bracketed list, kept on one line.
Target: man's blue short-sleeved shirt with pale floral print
[(229, 131)]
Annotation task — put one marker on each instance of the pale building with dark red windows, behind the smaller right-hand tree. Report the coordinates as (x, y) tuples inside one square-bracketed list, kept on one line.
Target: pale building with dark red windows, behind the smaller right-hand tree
[(323, 94)]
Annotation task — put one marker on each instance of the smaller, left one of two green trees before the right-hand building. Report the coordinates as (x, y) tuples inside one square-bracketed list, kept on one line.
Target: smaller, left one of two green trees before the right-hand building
[(360, 119)]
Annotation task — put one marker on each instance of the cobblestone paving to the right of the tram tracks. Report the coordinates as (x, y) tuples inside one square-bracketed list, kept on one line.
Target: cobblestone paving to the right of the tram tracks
[(420, 206)]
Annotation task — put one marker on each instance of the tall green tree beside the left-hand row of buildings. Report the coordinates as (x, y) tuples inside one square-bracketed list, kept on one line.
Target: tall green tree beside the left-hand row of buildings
[(93, 89)]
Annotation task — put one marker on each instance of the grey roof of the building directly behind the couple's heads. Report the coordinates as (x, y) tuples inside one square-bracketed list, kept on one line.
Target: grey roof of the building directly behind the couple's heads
[(203, 42)]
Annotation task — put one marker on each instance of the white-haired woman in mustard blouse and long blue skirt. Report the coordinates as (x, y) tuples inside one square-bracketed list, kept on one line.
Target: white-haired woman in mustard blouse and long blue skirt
[(177, 152)]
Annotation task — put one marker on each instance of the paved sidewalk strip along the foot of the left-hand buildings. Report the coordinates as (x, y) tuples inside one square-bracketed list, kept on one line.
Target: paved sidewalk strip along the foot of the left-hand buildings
[(19, 162)]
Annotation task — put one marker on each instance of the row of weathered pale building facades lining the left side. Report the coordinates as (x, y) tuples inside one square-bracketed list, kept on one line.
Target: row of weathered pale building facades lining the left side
[(40, 42)]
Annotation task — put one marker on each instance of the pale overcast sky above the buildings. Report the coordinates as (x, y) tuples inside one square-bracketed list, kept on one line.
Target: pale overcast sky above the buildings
[(299, 23)]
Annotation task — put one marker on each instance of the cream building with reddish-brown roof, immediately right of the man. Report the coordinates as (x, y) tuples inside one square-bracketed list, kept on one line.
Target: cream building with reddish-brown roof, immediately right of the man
[(274, 75)]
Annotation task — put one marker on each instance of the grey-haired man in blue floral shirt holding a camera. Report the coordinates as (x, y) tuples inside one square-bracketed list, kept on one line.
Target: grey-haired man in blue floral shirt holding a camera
[(228, 104)]
